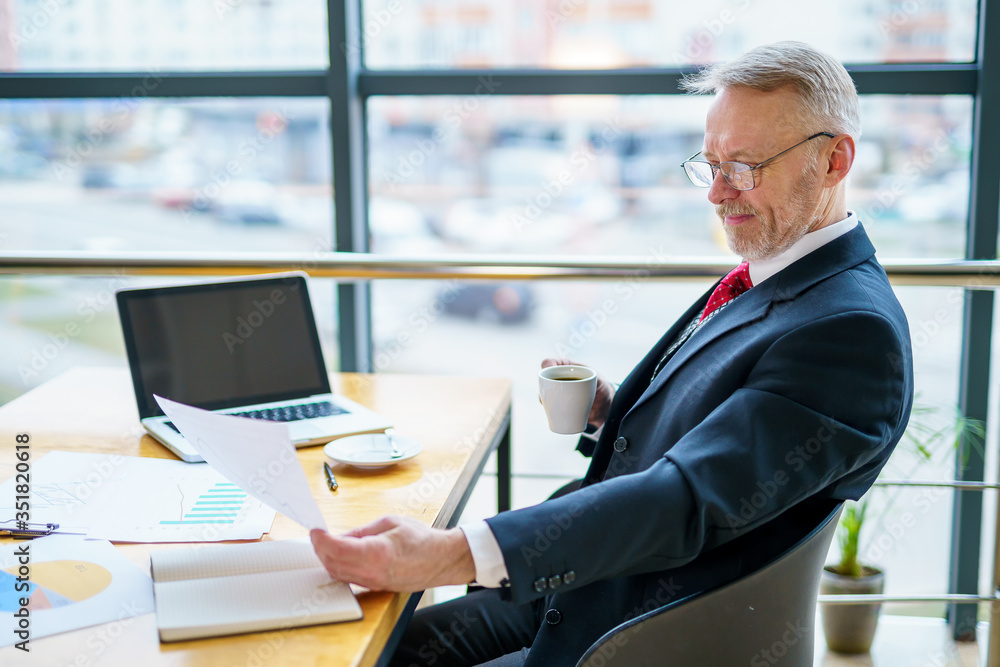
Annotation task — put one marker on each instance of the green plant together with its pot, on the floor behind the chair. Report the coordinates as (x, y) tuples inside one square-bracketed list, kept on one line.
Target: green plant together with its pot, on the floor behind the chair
[(851, 628)]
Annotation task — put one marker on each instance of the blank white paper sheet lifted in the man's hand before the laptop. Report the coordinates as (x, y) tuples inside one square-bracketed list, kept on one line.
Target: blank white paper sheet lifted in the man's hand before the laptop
[(256, 455)]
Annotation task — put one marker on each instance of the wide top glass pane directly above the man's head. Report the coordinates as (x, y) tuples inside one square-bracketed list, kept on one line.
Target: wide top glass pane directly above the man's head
[(634, 33)]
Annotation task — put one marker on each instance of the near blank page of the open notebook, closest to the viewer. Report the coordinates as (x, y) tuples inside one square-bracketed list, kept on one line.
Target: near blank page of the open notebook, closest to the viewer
[(250, 603)]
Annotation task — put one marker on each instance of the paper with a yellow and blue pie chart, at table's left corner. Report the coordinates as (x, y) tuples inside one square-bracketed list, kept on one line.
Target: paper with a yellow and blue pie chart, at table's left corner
[(72, 583)]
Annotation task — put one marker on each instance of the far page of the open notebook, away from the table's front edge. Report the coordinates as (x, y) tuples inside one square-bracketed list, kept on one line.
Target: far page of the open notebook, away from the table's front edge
[(232, 559)]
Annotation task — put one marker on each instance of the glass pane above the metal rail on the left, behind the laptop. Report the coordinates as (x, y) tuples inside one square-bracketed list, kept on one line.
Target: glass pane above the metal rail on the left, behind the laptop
[(128, 174)]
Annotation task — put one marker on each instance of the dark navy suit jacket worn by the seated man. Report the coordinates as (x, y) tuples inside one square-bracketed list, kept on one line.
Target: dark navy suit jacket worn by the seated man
[(792, 397)]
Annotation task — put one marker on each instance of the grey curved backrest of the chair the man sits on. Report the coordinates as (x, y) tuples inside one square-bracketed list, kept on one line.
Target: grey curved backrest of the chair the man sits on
[(764, 617)]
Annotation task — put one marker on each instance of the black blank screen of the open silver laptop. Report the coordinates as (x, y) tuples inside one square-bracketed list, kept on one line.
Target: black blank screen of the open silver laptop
[(222, 345)]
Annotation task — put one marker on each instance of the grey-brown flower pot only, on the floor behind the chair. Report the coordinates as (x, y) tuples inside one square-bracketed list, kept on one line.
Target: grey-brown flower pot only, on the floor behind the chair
[(850, 628)]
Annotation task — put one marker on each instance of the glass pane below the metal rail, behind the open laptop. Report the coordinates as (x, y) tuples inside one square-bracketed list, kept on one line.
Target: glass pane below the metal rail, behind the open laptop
[(51, 325)]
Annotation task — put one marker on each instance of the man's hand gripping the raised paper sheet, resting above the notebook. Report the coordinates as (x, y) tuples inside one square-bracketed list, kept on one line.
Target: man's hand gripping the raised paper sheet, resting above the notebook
[(396, 554)]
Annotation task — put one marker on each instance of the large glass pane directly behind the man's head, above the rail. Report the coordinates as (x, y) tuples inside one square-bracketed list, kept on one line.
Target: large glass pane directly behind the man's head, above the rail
[(601, 175)]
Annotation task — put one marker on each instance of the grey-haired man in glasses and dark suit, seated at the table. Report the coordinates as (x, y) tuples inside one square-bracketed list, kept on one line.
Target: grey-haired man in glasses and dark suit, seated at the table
[(779, 393)]
